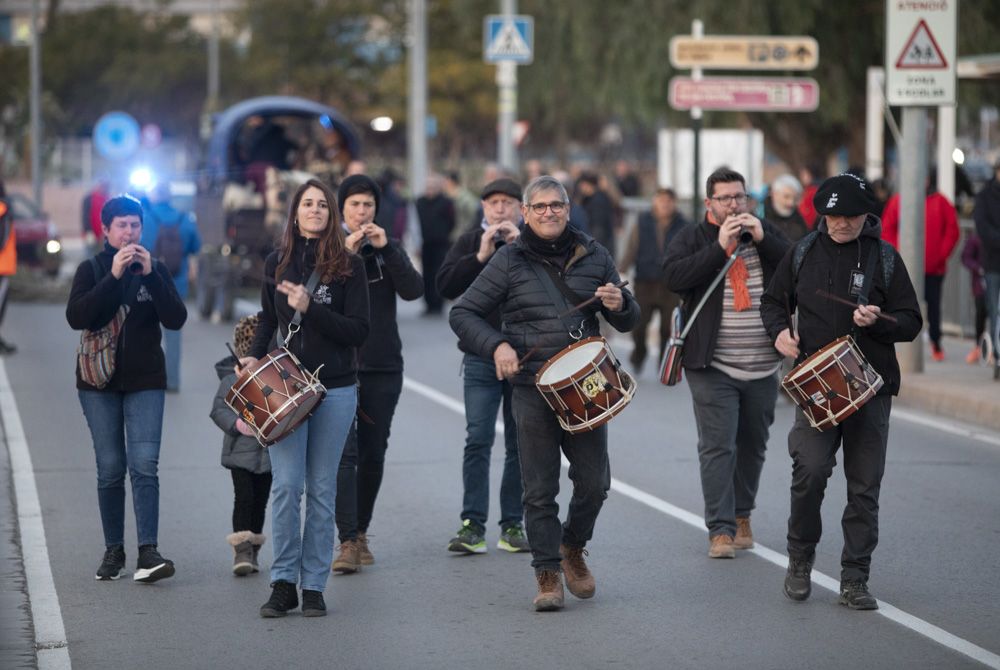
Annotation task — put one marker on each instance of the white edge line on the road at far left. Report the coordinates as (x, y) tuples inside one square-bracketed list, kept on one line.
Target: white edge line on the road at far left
[(51, 647)]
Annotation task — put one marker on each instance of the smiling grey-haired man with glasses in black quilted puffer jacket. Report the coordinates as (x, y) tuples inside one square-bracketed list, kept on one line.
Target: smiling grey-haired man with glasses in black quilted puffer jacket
[(520, 280)]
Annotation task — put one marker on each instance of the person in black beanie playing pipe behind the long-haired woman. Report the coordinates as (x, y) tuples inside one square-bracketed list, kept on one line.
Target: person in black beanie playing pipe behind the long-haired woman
[(380, 368)]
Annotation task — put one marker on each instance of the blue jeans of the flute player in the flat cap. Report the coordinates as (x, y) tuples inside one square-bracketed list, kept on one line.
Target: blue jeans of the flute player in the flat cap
[(483, 396)]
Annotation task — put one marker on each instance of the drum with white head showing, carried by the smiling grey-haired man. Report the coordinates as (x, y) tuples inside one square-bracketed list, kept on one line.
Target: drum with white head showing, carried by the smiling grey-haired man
[(585, 385)]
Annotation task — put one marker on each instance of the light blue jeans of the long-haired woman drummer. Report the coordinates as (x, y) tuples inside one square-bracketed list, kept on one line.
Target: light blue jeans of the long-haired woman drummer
[(308, 459)]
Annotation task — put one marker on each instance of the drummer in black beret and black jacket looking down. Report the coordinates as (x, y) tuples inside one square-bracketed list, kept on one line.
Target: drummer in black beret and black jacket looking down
[(843, 260)]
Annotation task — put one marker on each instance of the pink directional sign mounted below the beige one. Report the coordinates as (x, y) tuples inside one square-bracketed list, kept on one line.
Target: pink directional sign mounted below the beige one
[(745, 94)]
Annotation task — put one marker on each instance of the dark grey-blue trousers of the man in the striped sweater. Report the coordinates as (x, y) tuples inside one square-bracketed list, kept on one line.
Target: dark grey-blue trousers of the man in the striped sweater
[(734, 418)]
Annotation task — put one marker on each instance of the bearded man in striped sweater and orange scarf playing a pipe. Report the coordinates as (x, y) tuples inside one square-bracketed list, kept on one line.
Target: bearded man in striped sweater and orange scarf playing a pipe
[(730, 362)]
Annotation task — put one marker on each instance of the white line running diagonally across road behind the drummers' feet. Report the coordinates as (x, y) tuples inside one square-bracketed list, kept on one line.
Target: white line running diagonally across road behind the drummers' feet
[(887, 610)]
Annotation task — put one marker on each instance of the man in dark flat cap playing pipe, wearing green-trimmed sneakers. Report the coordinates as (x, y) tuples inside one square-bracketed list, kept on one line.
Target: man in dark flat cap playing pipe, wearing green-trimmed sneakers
[(484, 392)]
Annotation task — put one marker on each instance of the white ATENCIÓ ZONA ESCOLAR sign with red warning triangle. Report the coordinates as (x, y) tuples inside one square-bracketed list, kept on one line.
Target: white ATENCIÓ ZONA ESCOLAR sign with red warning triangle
[(920, 52)]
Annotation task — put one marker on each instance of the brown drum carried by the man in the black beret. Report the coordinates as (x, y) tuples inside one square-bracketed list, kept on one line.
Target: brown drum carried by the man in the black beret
[(833, 383)]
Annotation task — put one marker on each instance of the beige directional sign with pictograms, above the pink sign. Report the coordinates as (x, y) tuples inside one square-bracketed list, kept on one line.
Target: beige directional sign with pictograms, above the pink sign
[(744, 52)]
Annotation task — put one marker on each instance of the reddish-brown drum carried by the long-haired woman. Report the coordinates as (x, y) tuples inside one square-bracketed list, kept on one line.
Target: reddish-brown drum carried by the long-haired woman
[(275, 395)]
